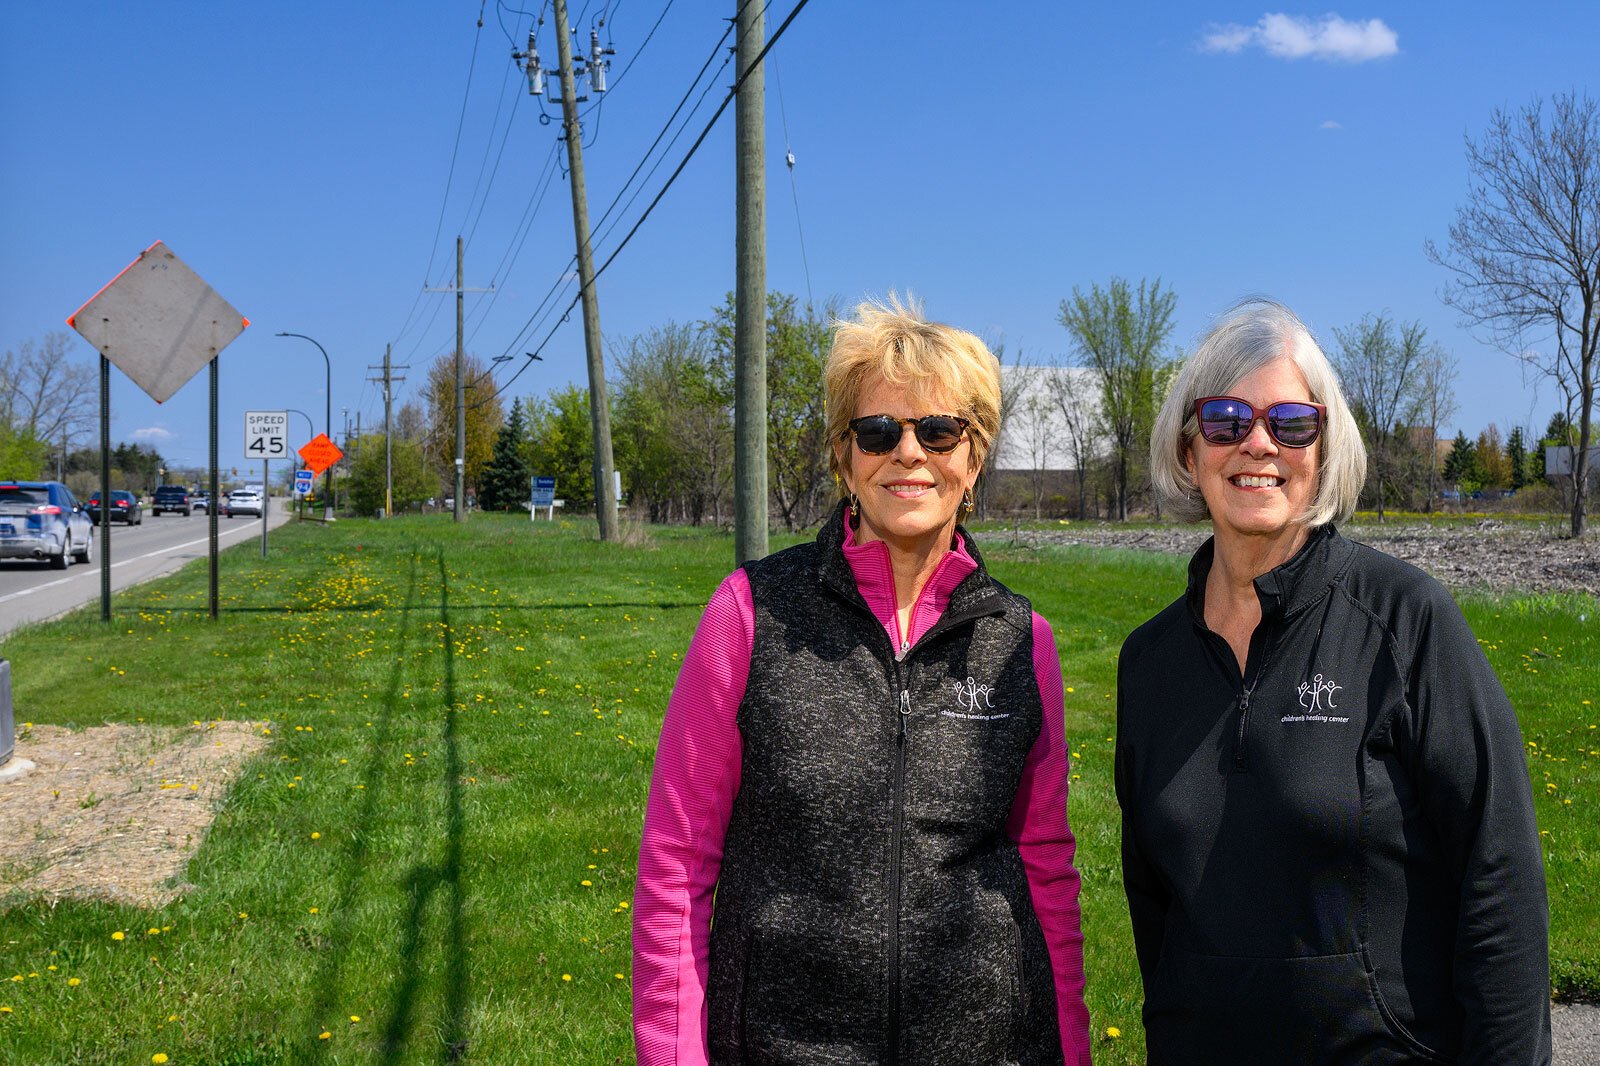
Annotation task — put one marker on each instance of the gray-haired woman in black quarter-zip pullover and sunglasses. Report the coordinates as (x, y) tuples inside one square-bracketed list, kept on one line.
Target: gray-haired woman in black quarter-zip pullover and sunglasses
[(1329, 841)]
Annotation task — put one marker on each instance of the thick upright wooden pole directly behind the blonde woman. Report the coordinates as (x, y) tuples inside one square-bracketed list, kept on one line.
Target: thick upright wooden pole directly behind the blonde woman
[(750, 331)]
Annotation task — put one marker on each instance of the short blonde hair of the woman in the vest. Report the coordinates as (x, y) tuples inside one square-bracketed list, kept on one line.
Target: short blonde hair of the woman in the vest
[(935, 363)]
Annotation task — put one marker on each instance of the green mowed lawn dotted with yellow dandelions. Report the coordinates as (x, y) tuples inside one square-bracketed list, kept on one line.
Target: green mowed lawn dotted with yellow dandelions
[(434, 859)]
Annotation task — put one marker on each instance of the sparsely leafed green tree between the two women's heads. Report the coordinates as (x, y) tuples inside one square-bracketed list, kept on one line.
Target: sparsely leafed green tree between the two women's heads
[(1121, 334)]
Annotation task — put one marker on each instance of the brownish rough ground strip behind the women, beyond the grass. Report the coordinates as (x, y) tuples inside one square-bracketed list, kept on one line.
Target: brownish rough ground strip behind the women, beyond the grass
[(1489, 556)]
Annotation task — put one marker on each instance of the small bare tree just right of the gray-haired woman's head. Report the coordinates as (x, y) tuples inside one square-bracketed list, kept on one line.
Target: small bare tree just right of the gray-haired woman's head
[(1377, 366)]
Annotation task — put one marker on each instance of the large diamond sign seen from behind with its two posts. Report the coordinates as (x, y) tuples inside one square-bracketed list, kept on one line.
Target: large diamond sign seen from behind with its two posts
[(161, 324)]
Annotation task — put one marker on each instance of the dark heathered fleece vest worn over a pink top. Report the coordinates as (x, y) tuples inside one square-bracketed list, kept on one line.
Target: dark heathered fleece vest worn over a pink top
[(871, 907)]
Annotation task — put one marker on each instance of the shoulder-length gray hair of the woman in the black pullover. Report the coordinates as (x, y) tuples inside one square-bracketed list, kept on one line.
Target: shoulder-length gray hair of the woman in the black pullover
[(1247, 337)]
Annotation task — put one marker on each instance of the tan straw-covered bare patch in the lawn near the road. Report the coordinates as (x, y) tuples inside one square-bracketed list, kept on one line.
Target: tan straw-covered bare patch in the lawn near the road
[(114, 812)]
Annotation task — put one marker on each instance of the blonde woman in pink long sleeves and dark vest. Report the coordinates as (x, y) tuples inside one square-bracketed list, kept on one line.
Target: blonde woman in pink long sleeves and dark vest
[(857, 846)]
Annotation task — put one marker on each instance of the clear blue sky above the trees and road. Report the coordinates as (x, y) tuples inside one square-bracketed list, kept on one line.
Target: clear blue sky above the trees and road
[(298, 154)]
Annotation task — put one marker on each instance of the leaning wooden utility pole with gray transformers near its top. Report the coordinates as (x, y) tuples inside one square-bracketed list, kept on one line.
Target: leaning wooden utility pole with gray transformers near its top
[(599, 411)]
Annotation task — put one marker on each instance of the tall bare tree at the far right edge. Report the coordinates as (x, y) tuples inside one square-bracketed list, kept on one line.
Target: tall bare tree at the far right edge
[(1526, 252)]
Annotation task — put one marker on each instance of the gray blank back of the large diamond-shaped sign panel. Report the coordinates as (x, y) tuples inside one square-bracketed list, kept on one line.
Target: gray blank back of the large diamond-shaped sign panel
[(159, 323)]
